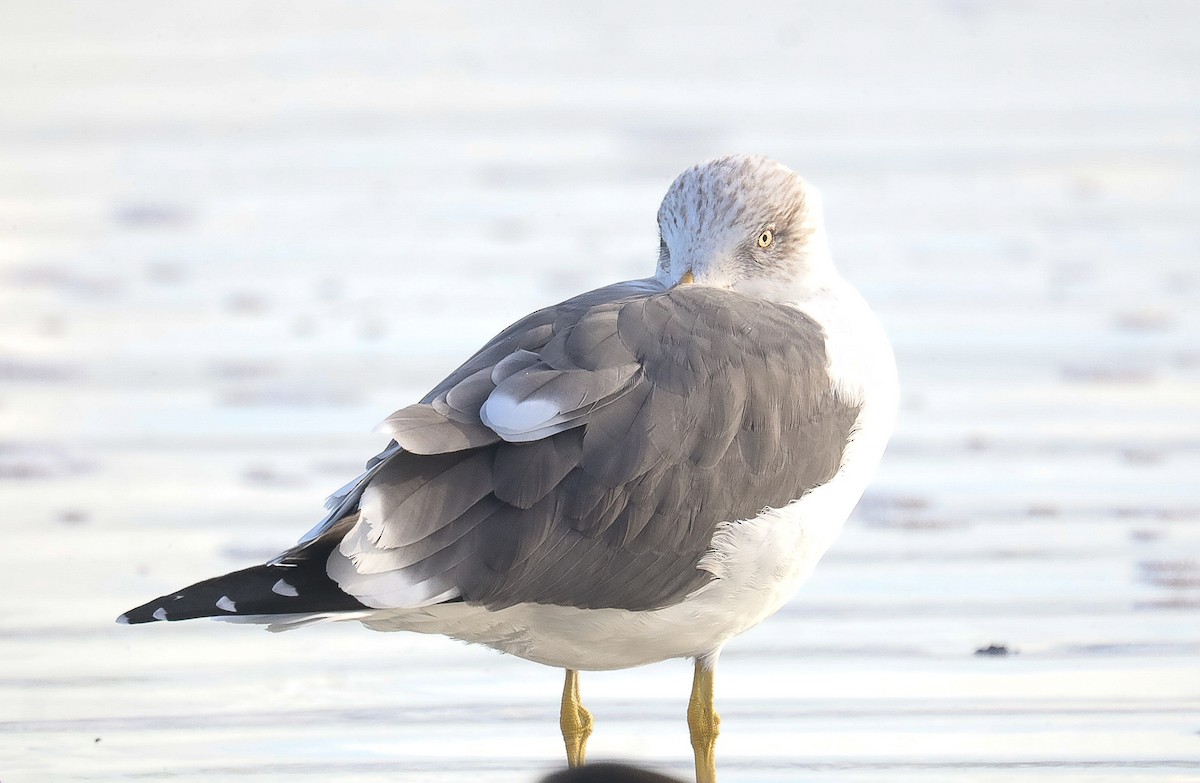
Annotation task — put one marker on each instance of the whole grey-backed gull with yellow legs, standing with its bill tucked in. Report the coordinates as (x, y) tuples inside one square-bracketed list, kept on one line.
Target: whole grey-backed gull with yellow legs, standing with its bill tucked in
[(641, 473)]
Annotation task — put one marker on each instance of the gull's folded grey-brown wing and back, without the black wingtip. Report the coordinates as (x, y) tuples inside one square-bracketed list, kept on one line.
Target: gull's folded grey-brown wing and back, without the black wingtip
[(586, 456)]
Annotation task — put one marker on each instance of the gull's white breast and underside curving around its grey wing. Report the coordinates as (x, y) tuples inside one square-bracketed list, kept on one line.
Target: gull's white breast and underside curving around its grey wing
[(758, 564)]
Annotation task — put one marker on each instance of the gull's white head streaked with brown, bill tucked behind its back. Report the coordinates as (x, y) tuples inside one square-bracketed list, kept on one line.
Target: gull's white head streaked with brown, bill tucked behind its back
[(746, 224)]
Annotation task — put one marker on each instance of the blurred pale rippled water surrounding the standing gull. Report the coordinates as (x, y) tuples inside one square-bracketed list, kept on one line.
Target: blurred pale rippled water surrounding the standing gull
[(235, 237)]
